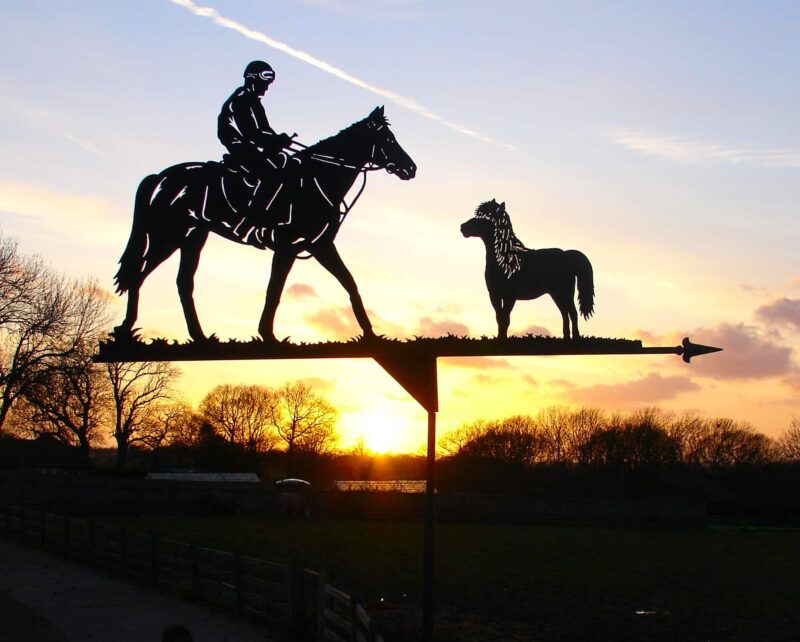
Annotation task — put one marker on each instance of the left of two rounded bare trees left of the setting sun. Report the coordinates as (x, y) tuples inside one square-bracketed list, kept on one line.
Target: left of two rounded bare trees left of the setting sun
[(243, 415)]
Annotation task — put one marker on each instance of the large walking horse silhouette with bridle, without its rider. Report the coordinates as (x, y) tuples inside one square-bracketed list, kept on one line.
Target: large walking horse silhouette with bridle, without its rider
[(299, 212)]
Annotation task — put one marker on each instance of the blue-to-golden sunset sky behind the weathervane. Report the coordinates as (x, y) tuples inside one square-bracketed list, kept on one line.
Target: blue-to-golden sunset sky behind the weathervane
[(660, 138)]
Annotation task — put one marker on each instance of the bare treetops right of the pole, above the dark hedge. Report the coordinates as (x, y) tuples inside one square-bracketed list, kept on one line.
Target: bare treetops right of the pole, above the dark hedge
[(647, 437)]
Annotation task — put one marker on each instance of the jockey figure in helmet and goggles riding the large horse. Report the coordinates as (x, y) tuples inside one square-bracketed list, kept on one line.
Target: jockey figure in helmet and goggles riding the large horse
[(243, 128)]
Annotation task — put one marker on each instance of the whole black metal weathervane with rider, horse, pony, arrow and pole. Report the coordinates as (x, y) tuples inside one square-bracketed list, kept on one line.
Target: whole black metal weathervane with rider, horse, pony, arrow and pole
[(271, 192)]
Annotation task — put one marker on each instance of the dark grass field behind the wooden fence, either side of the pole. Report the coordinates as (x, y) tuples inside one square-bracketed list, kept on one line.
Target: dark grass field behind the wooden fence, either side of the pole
[(501, 582)]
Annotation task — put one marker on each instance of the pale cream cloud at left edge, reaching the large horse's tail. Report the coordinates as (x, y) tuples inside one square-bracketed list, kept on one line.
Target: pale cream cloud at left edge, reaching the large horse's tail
[(88, 219)]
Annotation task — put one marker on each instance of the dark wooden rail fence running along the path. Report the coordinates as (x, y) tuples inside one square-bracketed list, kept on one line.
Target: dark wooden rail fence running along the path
[(302, 599)]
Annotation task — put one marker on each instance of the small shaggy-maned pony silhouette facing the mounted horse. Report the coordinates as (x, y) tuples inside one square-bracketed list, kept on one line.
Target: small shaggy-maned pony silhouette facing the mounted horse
[(514, 272)]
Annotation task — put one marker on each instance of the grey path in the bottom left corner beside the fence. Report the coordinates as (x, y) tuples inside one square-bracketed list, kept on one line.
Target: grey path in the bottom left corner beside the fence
[(46, 599)]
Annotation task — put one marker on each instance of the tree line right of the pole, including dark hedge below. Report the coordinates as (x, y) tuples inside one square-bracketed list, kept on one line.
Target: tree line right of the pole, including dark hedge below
[(588, 451)]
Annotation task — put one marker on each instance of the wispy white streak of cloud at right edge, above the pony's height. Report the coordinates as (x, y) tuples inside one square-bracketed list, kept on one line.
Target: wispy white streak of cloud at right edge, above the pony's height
[(687, 150)]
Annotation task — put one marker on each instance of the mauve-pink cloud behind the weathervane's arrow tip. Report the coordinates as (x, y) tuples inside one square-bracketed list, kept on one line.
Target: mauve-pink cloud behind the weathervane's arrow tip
[(746, 354)]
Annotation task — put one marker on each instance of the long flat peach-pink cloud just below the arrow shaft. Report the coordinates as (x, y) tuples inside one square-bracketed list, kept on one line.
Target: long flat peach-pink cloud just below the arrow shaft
[(650, 389)]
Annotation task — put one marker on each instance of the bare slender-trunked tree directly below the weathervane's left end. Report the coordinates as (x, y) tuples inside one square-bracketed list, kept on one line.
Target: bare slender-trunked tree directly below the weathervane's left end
[(136, 391)]
